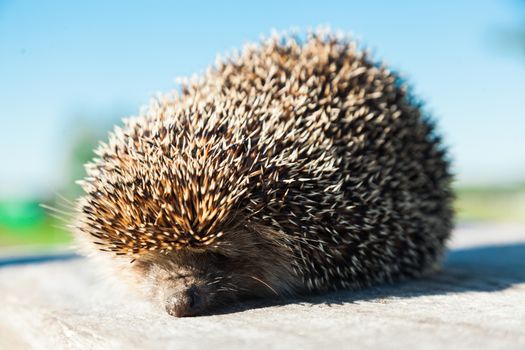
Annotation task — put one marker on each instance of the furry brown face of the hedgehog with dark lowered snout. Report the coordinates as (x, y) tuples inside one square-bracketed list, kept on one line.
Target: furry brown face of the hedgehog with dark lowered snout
[(190, 282)]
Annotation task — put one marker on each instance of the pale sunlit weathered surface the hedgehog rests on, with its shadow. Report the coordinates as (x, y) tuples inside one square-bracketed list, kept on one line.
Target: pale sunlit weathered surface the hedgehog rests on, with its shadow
[(476, 302)]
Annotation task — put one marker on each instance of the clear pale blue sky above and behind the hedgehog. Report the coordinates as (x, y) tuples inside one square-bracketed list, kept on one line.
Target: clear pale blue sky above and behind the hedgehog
[(61, 57)]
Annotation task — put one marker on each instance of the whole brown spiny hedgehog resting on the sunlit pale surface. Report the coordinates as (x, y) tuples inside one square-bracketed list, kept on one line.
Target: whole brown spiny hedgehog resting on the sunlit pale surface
[(298, 166)]
